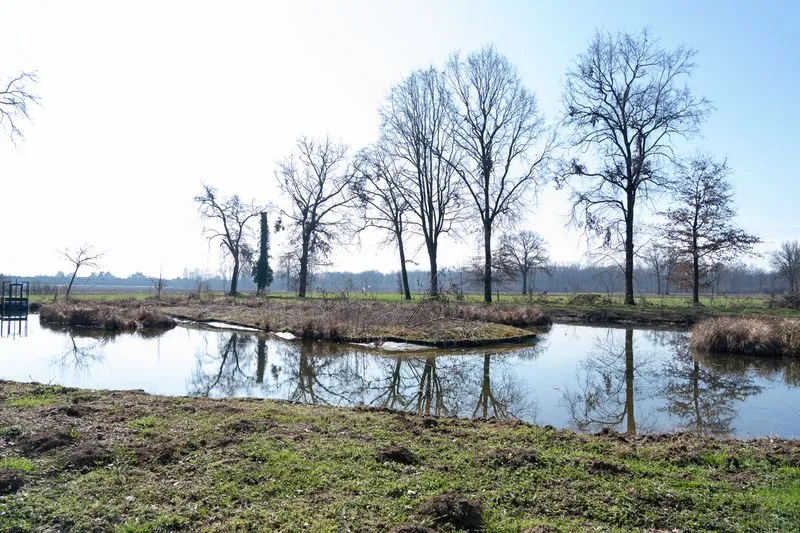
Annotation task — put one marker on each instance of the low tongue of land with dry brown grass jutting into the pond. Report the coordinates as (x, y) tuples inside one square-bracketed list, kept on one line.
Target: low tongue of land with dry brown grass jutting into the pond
[(437, 323)]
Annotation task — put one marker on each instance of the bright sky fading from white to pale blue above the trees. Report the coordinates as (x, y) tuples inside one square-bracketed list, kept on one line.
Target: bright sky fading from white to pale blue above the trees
[(142, 101)]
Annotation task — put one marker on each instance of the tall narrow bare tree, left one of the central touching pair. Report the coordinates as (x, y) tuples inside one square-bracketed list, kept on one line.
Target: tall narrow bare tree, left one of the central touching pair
[(416, 126)]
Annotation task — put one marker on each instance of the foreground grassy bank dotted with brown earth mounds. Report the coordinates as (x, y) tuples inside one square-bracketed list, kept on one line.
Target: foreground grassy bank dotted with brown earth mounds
[(126, 461)]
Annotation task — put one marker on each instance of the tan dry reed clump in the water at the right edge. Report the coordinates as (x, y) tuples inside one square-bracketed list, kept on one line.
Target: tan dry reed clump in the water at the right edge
[(749, 336)]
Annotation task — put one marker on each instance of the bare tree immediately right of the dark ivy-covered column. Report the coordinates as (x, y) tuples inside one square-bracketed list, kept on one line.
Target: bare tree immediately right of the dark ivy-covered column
[(317, 180)]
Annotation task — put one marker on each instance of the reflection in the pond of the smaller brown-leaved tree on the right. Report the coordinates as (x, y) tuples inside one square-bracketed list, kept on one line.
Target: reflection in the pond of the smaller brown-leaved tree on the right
[(700, 392)]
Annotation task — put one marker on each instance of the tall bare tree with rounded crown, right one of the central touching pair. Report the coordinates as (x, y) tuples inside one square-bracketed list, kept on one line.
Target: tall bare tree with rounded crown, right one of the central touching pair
[(501, 133)]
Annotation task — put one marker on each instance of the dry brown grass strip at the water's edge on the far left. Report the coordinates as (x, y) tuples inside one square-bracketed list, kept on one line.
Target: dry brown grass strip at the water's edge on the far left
[(104, 317)]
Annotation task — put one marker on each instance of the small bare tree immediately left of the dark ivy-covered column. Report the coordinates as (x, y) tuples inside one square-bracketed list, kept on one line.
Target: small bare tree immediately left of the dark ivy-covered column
[(230, 217)]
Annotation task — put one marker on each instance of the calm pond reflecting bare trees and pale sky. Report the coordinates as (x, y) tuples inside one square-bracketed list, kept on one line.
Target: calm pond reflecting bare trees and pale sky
[(581, 377)]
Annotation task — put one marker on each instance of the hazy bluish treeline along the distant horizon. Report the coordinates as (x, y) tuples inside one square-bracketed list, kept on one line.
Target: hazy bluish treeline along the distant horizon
[(568, 278)]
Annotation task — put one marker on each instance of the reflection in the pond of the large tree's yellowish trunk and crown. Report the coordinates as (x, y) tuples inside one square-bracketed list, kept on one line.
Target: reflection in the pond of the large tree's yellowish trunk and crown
[(606, 397)]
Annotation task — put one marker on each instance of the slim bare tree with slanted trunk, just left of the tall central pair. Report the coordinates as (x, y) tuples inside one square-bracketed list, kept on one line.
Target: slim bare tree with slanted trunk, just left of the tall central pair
[(378, 188)]
